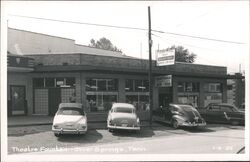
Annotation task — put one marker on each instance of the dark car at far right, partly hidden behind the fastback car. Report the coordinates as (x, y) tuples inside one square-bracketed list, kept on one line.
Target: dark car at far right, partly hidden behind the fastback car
[(223, 113)]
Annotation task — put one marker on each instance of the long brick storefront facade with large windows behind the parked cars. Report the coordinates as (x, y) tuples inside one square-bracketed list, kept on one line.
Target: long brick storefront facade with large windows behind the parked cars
[(99, 81)]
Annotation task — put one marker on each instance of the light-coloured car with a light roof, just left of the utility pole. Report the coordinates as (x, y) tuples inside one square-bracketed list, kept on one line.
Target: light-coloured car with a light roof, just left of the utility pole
[(123, 116)]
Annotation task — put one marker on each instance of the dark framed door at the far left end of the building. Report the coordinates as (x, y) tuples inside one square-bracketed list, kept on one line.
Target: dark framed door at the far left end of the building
[(18, 102)]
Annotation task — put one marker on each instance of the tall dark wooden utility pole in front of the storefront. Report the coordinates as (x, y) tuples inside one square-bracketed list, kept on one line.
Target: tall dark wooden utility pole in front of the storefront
[(150, 69)]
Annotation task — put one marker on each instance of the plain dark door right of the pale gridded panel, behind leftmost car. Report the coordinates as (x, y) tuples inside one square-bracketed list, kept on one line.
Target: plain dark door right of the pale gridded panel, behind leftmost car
[(54, 100)]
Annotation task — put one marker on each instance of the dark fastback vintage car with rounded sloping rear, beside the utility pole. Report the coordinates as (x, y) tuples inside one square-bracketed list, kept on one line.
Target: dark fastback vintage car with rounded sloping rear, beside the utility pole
[(179, 115)]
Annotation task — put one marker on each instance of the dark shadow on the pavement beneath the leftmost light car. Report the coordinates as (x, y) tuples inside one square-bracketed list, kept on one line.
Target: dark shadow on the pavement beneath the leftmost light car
[(89, 137)]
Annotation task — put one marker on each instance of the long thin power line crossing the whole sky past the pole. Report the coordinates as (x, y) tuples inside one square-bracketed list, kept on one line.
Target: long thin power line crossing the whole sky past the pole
[(132, 28)]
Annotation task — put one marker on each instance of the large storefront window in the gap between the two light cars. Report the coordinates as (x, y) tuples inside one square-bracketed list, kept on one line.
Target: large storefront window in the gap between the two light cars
[(101, 94)]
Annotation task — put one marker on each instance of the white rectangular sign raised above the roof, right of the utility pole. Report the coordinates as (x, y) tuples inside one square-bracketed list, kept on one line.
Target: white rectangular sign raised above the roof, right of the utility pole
[(165, 57)]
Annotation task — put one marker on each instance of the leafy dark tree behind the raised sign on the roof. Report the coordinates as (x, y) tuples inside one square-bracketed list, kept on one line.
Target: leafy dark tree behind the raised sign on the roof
[(183, 55)]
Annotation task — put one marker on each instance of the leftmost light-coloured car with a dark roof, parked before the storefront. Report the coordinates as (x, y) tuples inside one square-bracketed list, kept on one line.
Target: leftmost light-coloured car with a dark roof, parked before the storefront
[(70, 119)]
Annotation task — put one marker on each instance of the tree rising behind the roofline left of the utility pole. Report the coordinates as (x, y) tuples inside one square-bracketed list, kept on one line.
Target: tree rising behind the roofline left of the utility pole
[(104, 43)]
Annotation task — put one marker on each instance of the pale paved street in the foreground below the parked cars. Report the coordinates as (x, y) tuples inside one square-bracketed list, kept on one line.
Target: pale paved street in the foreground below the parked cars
[(214, 138)]
